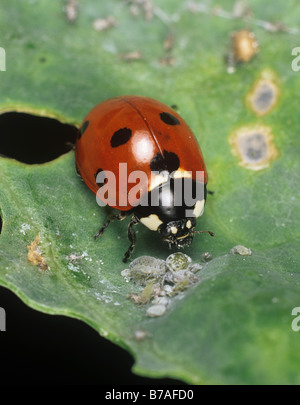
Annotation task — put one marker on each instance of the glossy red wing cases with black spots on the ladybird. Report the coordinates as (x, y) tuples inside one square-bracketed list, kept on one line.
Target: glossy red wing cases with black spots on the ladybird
[(150, 135)]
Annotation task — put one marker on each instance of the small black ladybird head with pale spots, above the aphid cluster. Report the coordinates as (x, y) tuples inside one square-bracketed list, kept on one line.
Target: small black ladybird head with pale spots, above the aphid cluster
[(179, 232)]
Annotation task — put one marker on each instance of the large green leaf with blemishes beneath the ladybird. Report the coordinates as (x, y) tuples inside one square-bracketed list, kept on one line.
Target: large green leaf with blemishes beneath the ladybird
[(234, 326)]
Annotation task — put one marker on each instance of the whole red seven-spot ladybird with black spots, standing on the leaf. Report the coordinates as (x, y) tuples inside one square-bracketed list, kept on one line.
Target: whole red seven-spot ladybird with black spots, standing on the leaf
[(132, 137)]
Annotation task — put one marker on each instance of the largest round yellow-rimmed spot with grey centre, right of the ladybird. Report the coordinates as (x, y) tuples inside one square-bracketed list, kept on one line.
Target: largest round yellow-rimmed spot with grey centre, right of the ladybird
[(254, 146)]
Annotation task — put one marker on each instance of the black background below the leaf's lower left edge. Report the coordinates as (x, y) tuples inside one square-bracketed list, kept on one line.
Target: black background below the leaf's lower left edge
[(37, 348)]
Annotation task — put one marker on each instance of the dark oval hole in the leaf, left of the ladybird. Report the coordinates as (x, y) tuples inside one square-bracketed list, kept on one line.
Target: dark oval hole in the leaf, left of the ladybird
[(33, 139)]
